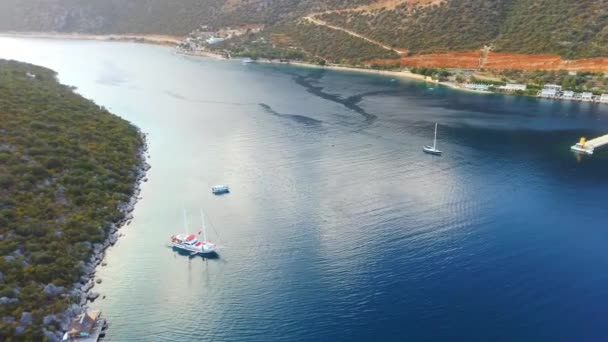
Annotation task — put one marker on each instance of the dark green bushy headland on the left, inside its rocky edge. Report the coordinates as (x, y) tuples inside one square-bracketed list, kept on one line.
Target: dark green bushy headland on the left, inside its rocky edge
[(66, 165)]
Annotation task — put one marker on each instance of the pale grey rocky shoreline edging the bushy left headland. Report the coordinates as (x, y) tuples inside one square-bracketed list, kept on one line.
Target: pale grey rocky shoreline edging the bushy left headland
[(82, 290)]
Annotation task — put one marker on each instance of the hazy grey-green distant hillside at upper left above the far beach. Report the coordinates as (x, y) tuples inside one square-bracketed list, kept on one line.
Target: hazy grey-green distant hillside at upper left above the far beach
[(151, 16)]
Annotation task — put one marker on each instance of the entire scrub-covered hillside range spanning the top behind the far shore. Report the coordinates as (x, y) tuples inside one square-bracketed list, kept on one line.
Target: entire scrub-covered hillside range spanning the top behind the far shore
[(571, 29)]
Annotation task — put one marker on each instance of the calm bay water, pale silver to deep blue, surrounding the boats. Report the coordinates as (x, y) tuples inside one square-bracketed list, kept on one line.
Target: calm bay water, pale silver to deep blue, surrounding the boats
[(338, 226)]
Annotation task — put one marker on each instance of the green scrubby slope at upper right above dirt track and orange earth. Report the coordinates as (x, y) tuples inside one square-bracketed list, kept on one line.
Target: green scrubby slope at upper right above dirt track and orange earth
[(572, 29)]
